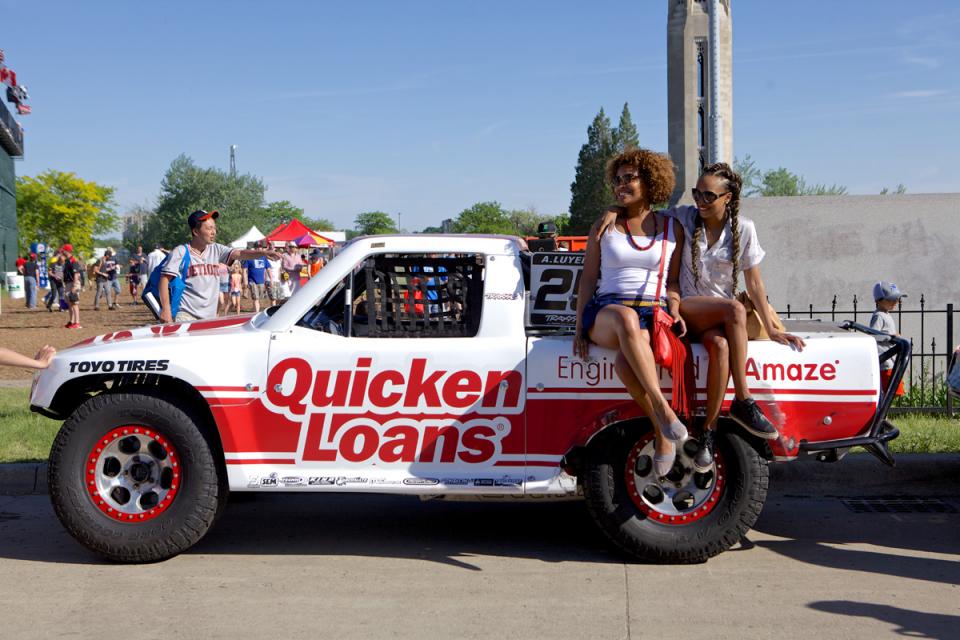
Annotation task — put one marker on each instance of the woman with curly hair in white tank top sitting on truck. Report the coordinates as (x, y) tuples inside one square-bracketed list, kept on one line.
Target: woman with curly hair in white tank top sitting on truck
[(617, 311)]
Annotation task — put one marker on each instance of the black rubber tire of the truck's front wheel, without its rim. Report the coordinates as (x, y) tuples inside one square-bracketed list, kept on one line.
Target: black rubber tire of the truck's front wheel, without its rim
[(200, 495)]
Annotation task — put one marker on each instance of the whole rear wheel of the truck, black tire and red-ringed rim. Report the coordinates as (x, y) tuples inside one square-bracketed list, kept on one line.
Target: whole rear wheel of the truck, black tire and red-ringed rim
[(689, 517)]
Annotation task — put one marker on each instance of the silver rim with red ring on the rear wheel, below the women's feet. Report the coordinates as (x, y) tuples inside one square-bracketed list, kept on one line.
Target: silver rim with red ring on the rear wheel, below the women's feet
[(683, 496)]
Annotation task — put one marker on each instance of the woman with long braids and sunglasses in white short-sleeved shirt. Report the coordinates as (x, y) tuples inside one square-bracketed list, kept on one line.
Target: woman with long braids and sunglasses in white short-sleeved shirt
[(722, 246)]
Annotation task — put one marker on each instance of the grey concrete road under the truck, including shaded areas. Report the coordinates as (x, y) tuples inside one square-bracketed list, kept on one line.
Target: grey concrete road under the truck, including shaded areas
[(296, 566)]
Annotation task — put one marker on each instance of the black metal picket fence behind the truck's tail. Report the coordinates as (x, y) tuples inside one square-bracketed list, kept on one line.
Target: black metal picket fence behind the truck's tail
[(925, 381)]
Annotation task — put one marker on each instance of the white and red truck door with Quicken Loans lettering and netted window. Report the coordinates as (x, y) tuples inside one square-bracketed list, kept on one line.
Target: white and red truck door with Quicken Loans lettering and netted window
[(399, 382)]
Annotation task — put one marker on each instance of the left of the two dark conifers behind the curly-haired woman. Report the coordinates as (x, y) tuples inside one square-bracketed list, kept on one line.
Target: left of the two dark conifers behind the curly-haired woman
[(590, 193)]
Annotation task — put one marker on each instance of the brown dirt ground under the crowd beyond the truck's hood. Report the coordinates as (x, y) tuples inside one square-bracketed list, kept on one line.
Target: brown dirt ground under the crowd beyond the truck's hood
[(26, 330)]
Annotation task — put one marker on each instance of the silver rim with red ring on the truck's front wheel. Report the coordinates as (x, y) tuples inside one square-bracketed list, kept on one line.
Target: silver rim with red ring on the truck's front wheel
[(132, 474)]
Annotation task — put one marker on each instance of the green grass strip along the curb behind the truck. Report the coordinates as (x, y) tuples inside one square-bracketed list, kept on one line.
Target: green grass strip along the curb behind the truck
[(26, 436)]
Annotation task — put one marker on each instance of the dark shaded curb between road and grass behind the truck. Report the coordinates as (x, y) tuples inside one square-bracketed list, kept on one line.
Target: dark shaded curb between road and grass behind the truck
[(925, 473)]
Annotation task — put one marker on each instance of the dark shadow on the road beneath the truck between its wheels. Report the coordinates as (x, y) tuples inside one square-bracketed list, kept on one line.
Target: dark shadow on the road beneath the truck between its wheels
[(406, 527)]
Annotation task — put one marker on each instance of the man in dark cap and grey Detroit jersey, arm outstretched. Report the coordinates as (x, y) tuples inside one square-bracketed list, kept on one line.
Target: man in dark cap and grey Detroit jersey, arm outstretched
[(199, 299)]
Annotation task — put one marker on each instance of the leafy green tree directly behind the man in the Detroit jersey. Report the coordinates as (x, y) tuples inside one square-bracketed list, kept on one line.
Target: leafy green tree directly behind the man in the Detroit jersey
[(187, 187)]
